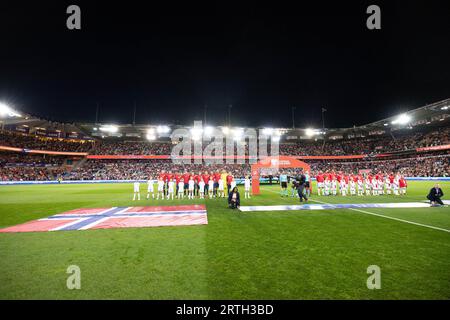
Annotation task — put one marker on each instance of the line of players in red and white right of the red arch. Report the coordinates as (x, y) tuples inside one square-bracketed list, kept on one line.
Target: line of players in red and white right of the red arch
[(378, 184)]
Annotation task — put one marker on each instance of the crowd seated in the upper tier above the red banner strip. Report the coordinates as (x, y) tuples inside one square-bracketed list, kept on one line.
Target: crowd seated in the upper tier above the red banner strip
[(368, 145)]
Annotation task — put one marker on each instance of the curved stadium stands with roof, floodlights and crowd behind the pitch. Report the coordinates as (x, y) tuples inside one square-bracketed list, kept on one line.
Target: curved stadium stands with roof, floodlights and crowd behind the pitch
[(410, 138)]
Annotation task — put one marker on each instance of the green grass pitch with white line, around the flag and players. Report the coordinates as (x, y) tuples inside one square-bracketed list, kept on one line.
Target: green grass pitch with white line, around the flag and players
[(256, 255)]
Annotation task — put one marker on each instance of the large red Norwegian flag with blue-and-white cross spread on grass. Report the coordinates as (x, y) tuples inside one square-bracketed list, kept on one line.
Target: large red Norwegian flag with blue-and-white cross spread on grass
[(117, 217)]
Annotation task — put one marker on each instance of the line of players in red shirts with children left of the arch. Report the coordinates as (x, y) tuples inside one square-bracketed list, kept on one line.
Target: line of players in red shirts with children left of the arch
[(171, 186)]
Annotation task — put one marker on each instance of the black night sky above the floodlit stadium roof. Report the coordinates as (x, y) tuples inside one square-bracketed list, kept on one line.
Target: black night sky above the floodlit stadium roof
[(263, 58)]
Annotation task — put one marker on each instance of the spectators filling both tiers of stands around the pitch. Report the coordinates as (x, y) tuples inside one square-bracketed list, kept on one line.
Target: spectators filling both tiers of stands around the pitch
[(24, 166)]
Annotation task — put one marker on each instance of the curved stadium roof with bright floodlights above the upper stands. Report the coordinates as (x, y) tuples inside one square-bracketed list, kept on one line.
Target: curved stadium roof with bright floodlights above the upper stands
[(432, 115)]
